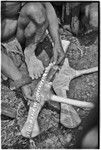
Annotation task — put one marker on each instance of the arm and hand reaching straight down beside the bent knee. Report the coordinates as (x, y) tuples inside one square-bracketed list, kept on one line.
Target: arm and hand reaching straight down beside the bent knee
[(54, 32)]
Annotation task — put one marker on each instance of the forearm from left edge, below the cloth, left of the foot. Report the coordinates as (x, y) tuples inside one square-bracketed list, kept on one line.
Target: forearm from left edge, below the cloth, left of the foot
[(9, 69)]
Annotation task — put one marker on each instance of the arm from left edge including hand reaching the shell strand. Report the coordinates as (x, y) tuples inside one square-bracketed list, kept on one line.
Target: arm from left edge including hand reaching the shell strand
[(9, 69)]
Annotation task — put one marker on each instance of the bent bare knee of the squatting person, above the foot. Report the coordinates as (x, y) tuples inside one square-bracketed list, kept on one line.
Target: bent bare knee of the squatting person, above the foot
[(31, 23)]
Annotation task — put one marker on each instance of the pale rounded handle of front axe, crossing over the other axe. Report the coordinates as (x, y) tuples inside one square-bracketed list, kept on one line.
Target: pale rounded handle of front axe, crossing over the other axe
[(71, 101)]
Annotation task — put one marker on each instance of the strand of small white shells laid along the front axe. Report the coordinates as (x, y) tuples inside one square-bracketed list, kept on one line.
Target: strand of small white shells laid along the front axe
[(35, 107)]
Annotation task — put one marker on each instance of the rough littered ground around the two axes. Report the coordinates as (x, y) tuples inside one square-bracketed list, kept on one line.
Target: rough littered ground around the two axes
[(53, 134)]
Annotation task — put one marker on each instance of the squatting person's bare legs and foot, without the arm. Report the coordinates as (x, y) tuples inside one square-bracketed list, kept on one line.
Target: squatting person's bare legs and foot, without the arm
[(29, 29)]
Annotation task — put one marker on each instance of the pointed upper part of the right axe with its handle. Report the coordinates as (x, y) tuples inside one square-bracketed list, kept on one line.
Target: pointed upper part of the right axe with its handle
[(66, 74)]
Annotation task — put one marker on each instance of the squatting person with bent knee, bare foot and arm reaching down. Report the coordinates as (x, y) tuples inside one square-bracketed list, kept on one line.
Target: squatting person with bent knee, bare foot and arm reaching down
[(33, 21)]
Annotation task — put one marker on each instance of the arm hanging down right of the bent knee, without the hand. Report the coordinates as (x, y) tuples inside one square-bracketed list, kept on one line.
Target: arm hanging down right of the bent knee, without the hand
[(53, 23)]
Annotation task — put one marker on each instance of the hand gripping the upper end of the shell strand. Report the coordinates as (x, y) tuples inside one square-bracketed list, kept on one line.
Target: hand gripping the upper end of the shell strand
[(58, 53)]
